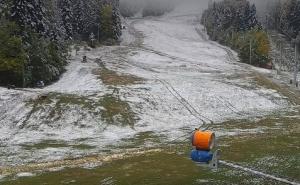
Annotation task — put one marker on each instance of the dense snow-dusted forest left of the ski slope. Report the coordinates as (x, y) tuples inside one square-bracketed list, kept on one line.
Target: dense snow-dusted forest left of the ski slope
[(35, 35)]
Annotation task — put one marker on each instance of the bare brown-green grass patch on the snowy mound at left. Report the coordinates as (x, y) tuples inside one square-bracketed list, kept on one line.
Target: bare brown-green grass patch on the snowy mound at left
[(111, 109)]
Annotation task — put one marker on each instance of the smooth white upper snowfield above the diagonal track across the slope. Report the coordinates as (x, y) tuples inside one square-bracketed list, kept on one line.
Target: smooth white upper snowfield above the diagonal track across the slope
[(180, 40)]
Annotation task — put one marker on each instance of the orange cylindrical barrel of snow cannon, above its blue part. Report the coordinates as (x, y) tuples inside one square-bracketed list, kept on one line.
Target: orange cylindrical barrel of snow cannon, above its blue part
[(203, 140)]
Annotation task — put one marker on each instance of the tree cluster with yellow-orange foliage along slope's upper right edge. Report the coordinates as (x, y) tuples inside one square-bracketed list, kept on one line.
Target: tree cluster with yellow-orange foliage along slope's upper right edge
[(234, 23)]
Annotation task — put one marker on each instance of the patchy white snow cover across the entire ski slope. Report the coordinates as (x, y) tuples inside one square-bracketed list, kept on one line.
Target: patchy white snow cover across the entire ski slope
[(172, 51)]
